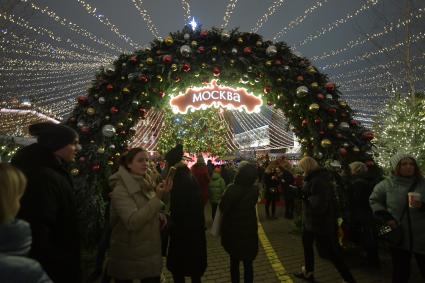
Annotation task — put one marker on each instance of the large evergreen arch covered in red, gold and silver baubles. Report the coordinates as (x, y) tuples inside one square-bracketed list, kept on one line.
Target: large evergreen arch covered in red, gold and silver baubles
[(123, 93)]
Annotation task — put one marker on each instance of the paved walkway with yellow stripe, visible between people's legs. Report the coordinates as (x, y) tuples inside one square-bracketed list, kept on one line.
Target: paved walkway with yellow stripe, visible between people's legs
[(281, 254)]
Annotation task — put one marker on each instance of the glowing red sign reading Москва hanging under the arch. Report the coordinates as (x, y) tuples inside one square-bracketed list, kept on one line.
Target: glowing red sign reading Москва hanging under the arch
[(215, 95)]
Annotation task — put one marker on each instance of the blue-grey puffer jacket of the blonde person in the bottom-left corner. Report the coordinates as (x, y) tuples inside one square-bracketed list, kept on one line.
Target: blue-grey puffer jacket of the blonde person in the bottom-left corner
[(15, 243)]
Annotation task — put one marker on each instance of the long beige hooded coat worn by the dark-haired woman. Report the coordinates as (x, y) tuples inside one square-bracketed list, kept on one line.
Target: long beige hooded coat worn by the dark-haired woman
[(135, 249)]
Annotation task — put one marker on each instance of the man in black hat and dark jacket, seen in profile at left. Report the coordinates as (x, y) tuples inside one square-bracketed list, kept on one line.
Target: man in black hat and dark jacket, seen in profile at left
[(48, 203)]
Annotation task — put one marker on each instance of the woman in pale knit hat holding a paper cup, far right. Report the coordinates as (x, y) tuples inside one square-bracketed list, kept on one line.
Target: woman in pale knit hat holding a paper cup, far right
[(389, 201)]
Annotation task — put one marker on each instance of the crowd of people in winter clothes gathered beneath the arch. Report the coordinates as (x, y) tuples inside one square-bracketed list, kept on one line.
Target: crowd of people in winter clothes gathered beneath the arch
[(160, 213)]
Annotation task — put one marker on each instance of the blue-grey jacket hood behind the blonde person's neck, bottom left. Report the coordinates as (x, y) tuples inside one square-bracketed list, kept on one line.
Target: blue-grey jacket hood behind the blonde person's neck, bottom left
[(15, 238)]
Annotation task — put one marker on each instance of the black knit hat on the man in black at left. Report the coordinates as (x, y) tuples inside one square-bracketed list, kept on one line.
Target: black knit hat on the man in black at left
[(53, 136)]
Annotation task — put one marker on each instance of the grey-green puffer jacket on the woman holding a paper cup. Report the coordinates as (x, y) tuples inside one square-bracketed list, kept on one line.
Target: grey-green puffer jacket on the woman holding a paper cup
[(388, 199)]
